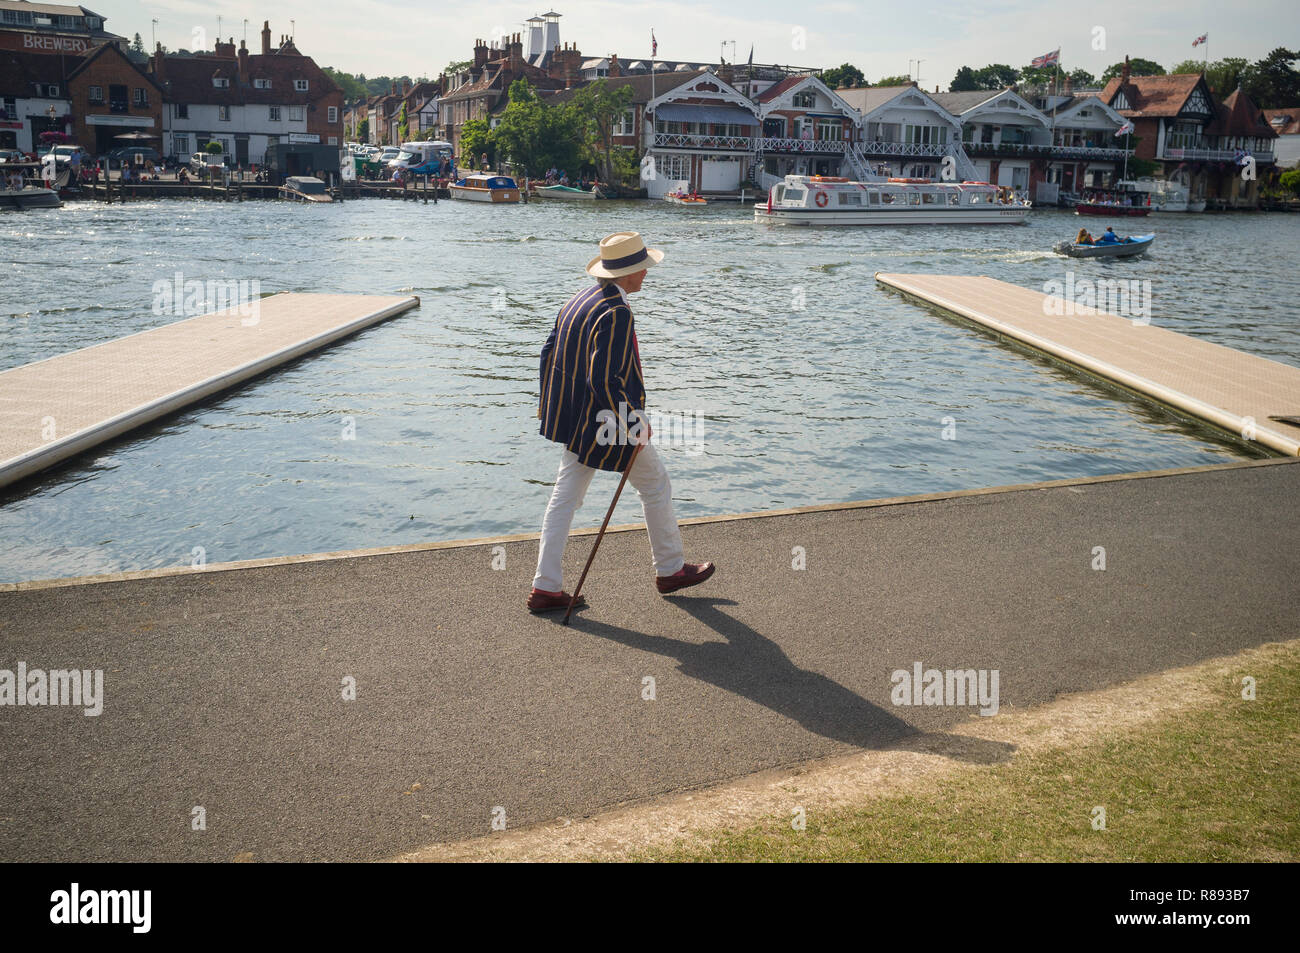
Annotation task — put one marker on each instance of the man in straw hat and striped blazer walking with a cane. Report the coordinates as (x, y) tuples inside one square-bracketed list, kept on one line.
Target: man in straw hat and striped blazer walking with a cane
[(593, 402)]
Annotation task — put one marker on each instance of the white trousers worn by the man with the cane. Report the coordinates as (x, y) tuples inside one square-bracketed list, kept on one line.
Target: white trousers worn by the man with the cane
[(651, 480)]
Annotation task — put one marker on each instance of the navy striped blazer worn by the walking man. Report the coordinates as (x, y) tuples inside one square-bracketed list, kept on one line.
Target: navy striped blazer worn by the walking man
[(591, 366)]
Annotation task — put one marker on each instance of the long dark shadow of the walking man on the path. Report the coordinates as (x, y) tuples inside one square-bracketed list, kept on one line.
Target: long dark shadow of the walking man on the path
[(753, 666)]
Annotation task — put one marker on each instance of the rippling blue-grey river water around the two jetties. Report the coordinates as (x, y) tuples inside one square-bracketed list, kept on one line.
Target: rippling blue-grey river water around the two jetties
[(811, 384)]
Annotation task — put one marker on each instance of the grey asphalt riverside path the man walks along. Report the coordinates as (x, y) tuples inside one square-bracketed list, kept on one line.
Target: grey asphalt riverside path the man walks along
[(224, 688)]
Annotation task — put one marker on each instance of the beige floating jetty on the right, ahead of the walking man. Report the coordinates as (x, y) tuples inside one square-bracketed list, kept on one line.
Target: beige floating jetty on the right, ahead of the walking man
[(1237, 392)]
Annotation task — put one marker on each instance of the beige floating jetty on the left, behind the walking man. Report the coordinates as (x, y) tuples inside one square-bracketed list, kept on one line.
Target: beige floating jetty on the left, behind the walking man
[(58, 408)]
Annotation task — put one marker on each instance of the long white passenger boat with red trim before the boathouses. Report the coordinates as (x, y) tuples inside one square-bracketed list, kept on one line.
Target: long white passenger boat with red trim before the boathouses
[(833, 201)]
